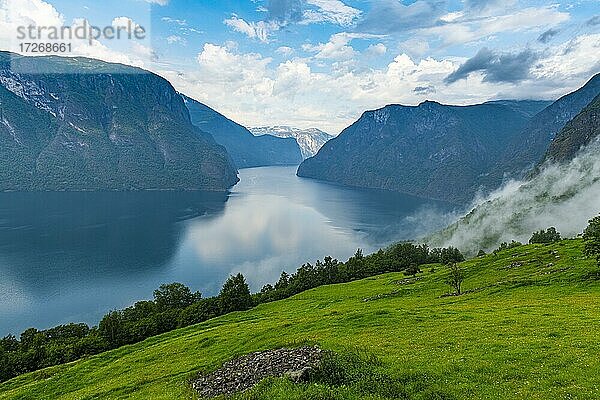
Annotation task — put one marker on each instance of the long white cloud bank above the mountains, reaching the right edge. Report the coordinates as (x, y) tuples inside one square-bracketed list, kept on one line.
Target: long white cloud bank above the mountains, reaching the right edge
[(331, 93)]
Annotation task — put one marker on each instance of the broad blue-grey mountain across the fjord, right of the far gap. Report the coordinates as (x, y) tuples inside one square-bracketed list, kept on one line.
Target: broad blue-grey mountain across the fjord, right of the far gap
[(431, 150)]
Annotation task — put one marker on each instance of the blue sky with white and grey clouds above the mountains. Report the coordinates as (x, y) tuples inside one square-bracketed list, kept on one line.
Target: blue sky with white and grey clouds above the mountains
[(322, 63)]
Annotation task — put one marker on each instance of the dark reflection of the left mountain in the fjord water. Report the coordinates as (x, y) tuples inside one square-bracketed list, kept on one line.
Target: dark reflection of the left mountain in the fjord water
[(47, 236)]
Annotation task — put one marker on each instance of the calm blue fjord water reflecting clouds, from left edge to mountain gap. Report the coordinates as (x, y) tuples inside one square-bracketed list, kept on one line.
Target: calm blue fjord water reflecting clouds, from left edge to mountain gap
[(72, 257)]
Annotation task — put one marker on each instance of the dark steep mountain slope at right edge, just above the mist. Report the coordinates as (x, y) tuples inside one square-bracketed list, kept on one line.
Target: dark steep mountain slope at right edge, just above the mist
[(577, 134)]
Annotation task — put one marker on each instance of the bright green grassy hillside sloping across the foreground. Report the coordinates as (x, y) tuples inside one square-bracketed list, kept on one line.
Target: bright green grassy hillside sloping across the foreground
[(526, 329)]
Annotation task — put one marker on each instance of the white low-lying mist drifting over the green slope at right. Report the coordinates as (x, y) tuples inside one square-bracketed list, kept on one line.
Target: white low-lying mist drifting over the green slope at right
[(564, 196)]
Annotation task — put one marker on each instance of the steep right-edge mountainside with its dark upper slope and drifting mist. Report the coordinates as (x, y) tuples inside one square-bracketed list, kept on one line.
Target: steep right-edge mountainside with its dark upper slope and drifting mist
[(563, 192)]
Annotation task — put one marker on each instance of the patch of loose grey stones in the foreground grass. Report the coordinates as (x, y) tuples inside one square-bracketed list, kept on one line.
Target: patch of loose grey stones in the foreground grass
[(243, 373)]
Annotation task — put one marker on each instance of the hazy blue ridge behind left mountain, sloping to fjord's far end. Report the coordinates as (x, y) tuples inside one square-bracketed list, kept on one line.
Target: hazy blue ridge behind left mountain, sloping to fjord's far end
[(245, 149)]
